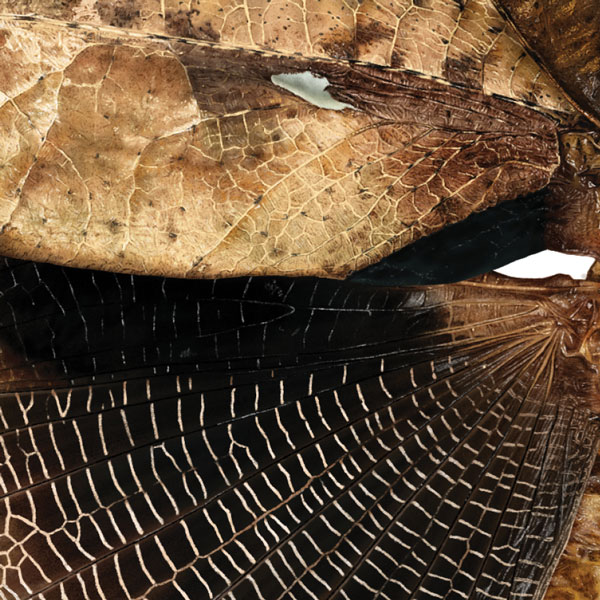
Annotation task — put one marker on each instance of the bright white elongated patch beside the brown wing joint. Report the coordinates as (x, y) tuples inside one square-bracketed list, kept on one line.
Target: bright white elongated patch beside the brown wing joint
[(546, 264)]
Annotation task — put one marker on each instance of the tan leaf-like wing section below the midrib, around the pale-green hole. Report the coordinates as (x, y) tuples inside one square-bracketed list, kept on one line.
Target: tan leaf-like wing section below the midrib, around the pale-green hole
[(185, 160)]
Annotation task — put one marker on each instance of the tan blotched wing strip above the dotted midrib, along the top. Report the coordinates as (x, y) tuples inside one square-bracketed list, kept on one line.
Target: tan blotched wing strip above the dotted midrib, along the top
[(458, 41)]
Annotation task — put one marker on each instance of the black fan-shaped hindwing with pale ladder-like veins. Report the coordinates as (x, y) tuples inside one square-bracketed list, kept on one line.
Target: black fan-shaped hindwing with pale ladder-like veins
[(277, 438)]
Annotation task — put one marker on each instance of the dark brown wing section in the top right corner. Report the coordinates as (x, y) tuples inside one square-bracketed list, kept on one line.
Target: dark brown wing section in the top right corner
[(565, 38)]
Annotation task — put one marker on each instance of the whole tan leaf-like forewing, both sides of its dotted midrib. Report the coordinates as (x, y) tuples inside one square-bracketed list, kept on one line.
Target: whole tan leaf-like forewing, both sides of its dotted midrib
[(127, 147)]
